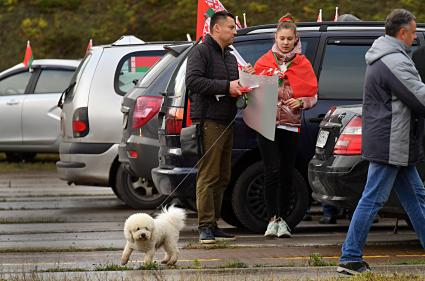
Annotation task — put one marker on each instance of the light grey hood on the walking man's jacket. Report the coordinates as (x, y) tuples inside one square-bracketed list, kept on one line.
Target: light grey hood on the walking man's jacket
[(383, 46)]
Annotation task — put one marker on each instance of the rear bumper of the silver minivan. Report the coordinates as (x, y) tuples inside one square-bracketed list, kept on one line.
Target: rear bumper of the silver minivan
[(86, 164)]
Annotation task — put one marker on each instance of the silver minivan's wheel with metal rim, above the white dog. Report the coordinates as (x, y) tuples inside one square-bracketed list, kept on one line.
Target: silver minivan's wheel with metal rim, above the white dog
[(136, 192)]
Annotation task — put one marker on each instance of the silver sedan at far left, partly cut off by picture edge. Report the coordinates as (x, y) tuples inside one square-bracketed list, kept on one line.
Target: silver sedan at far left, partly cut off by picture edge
[(29, 116)]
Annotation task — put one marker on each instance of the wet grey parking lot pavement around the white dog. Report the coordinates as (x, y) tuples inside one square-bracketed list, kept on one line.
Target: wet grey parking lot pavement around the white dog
[(48, 226)]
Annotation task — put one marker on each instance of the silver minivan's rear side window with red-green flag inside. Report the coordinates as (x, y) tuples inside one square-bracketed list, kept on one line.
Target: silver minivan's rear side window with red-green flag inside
[(133, 67)]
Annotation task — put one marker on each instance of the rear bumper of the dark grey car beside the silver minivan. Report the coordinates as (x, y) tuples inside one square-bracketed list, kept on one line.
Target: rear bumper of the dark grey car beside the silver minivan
[(147, 155)]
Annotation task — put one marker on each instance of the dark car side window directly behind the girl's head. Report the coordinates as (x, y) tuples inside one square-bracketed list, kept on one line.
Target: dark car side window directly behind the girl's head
[(252, 50)]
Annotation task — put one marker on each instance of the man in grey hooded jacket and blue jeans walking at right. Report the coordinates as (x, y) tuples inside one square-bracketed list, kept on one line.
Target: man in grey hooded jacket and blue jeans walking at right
[(393, 129)]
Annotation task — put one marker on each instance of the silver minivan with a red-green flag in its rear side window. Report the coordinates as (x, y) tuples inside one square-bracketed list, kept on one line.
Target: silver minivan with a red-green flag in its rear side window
[(92, 119)]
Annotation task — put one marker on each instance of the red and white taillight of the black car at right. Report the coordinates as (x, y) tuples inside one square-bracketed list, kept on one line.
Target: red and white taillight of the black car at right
[(350, 140)]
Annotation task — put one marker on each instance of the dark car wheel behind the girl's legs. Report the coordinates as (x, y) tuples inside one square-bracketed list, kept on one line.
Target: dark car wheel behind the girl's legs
[(248, 199)]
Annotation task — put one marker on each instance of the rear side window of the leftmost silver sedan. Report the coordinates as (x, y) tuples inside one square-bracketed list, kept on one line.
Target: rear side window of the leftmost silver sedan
[(53, 81)]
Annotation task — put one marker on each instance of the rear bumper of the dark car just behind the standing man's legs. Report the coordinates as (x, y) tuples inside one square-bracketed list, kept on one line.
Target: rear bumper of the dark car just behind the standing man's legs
[(180, 182)]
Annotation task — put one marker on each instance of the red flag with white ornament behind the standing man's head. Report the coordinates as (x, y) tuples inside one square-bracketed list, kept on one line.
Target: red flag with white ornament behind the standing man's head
[(206, 8)]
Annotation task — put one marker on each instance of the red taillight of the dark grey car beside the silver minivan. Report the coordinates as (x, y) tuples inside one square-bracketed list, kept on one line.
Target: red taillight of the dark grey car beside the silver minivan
[(146, 107)]
